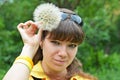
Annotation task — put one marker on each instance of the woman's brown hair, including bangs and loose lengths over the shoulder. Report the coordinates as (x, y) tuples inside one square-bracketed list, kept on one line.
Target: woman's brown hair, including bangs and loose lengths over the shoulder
[(67, 30)]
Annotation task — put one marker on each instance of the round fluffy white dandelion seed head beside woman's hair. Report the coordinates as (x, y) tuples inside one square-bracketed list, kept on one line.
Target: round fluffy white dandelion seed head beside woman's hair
[(47, 14)]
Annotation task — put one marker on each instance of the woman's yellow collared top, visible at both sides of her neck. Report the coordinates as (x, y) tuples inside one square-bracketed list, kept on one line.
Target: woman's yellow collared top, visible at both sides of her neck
[(38, 72)]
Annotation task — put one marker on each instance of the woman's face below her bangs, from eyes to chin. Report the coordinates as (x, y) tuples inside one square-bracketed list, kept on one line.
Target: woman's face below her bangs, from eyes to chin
[(58, 55)]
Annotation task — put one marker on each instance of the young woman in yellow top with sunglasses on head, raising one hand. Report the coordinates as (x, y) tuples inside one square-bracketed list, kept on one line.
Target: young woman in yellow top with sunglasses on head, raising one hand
[(52, 52)]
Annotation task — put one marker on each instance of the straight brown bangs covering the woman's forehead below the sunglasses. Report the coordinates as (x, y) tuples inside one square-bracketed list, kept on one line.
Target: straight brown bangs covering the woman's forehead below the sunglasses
[(66, 31)]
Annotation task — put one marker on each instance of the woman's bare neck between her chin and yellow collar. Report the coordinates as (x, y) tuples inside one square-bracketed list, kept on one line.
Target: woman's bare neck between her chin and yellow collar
[(54, 75)]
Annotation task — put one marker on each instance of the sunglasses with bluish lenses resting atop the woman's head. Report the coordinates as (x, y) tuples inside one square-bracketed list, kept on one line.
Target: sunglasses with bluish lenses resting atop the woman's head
[(72, 17)]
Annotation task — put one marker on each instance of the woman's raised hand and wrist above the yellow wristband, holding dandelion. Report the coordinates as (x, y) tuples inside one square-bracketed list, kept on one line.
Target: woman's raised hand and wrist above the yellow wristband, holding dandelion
[(30, 37)]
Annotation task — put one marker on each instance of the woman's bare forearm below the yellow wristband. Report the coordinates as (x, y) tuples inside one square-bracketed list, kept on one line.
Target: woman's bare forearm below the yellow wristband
[(18, 71)]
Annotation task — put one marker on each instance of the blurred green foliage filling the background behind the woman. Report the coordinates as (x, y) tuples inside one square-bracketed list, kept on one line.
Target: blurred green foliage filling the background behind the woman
[(99, 53)]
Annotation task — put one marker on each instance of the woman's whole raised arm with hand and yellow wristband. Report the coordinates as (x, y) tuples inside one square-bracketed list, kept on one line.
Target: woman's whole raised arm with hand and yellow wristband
[(21, 68)]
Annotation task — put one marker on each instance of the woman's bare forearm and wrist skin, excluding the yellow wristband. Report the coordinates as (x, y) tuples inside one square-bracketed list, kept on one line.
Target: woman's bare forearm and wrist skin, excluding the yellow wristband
[(20, 71)]
